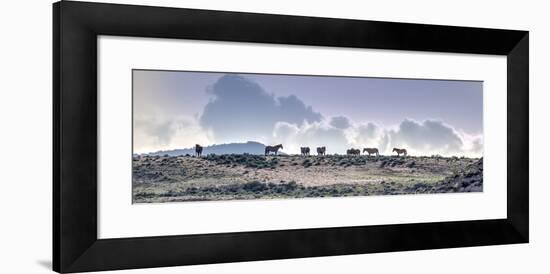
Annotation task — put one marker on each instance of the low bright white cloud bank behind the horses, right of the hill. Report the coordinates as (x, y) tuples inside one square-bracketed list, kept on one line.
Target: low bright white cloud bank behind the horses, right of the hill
[(428, 137)]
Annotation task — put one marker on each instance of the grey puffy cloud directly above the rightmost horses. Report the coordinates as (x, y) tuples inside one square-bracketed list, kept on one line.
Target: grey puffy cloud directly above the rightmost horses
[(430, 135)]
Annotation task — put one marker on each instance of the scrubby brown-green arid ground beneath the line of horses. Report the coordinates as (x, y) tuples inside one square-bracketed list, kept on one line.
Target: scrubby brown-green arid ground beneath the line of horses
[(242, 176)]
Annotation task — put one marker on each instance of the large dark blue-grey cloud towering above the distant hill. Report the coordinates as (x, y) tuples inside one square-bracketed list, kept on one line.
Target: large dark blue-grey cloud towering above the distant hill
[(241, 107)]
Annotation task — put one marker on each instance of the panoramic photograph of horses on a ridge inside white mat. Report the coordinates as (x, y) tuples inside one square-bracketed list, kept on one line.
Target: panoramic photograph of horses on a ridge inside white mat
[(217, 136)]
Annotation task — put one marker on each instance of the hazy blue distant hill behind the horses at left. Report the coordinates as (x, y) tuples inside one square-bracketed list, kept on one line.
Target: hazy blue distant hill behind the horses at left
[(232, 148)]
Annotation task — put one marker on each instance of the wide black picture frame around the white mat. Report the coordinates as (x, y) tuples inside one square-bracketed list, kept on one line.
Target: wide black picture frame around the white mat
[(76, 247)]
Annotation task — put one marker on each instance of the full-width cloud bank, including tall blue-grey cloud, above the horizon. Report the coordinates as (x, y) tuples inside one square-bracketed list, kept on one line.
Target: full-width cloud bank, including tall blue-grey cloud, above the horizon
[(240, 110)]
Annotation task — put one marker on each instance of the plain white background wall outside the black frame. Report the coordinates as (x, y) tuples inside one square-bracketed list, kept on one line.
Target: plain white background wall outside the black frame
[(25, 139)]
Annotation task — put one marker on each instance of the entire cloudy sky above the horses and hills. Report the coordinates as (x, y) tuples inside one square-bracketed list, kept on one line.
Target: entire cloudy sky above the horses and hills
[(178, 109)]
